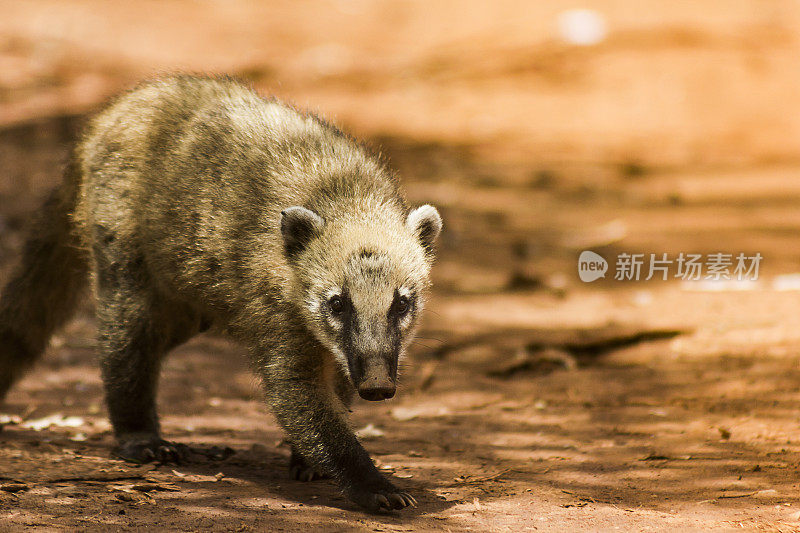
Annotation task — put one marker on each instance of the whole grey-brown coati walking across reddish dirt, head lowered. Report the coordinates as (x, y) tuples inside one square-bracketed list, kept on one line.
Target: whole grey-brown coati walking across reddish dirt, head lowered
[(193, 203)]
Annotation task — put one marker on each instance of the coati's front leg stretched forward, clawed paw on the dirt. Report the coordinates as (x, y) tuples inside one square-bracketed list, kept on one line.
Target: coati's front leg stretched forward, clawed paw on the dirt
[(318, 429)]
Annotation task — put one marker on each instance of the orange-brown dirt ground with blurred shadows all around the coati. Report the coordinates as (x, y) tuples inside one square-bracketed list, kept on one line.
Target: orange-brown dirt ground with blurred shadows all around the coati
[(531, 401)]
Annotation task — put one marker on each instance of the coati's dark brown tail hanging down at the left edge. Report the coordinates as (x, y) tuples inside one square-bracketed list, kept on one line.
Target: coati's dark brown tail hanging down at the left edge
[(43, 289)]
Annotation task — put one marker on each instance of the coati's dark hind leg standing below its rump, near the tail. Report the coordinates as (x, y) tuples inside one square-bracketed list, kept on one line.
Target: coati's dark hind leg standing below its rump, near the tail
[(136, 329)]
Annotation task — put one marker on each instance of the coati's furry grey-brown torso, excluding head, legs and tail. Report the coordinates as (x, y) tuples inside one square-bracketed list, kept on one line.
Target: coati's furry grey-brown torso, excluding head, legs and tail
[(196, 171)]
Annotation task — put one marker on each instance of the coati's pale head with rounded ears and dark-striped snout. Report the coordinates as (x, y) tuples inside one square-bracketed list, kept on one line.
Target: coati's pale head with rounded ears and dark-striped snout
[(362, 282)]
